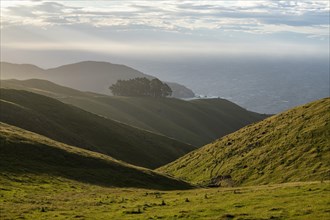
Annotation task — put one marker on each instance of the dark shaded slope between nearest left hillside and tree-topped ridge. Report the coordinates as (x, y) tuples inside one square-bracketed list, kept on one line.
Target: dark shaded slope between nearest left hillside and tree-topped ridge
[(71, 125)]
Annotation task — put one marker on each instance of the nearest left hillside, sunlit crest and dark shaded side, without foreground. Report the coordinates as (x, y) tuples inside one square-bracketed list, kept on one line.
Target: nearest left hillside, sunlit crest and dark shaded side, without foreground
[(26, 153)]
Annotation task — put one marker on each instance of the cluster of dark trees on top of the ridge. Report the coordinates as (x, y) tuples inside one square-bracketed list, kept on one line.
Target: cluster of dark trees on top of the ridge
[(141, 87)]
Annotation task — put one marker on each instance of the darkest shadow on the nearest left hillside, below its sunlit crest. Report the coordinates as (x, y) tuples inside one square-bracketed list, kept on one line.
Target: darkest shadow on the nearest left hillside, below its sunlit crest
[(25, 158)]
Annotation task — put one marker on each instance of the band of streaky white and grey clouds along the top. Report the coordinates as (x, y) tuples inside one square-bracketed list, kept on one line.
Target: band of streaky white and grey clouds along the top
[(293, 13)]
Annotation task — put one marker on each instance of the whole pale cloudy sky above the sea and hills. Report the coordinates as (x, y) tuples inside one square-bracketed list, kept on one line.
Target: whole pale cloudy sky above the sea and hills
[(51, 32)]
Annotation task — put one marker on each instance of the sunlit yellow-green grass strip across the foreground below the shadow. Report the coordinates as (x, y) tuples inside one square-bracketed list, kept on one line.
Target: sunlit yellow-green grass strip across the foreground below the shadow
[(45, 197)]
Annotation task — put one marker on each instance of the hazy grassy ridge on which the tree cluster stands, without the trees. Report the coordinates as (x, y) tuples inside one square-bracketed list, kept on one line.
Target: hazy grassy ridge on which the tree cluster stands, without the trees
[(197, 122)]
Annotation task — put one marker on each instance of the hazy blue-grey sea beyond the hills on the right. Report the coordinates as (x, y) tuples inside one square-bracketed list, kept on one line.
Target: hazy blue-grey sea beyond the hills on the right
[(261, 85)]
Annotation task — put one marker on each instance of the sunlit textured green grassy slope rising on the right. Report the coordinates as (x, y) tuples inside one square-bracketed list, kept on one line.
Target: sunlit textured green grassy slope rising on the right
[(291, 146)]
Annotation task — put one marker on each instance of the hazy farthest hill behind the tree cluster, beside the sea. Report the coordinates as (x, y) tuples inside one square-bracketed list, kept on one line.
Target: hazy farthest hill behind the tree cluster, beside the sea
[(86, 76)]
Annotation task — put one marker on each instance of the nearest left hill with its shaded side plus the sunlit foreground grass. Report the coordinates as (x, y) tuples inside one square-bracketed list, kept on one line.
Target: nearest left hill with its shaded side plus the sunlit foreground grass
[(44, 179)]
